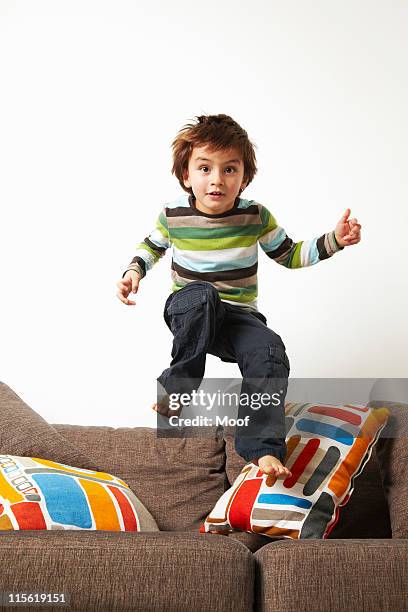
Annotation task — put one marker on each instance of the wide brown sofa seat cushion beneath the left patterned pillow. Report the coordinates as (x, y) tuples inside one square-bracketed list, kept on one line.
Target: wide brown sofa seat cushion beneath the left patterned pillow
[(118, 571)]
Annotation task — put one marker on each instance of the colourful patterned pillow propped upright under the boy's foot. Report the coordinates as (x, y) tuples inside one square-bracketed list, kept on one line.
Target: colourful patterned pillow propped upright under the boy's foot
[(327, 448)]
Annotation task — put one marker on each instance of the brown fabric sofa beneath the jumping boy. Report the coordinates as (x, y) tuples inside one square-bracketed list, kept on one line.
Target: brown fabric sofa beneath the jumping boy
[(179, 480)]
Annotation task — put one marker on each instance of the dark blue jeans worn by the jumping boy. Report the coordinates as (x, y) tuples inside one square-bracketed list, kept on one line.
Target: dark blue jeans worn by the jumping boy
[(201, 323)]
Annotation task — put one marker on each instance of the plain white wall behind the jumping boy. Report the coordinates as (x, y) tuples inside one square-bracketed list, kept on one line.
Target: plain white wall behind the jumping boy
[(92, 95)]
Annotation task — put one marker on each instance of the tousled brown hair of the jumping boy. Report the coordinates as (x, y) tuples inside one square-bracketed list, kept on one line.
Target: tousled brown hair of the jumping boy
[(218, 132)]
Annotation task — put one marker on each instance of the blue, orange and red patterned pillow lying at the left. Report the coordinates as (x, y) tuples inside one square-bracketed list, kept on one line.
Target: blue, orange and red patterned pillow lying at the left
[(41, 494)]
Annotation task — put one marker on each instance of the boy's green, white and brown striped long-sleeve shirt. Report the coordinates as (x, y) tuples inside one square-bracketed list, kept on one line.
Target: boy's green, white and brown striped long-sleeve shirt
[(222, 249)]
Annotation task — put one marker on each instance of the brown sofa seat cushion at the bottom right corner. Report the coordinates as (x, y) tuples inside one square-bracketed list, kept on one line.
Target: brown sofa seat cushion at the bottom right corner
[(339, 575)]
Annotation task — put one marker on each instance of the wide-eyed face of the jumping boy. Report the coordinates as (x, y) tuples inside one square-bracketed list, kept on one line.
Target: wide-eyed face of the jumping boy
[(210, 171)]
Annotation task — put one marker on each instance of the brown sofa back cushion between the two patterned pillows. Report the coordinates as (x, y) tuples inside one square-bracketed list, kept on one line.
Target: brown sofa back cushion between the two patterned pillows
[(178, 479)]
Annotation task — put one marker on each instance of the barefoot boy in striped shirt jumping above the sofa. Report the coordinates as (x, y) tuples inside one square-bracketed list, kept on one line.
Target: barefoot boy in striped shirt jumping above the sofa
[(212, 308)]
